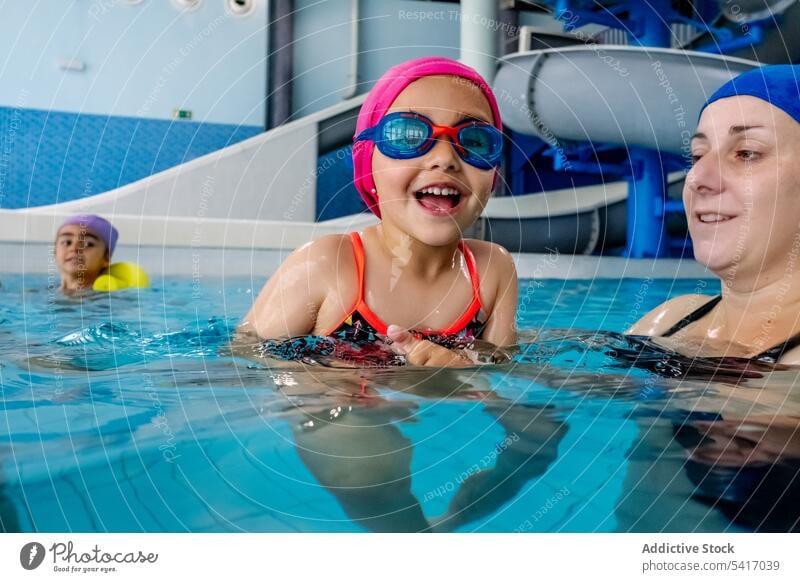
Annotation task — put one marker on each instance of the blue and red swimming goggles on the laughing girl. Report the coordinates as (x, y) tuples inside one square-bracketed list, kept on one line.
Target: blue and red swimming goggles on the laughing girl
[(405, 135)]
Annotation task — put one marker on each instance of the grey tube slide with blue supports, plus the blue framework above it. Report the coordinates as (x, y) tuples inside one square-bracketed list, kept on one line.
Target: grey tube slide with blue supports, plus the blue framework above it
[(621, 104)]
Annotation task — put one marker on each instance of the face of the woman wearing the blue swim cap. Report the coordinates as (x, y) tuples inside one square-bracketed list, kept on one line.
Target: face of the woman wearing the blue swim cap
[(742, 195)]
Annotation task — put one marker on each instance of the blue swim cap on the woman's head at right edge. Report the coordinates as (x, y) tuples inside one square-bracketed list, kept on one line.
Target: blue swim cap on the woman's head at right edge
[(778, 85)]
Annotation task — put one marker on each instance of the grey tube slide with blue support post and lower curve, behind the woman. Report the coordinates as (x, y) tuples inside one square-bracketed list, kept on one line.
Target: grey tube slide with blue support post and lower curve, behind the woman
[(611, 111)]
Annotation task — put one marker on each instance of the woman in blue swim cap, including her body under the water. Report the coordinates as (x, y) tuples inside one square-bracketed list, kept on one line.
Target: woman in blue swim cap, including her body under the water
[(743, 209)]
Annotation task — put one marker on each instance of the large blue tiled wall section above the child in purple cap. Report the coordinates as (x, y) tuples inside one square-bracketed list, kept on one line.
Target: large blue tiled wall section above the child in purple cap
[(48, 157)]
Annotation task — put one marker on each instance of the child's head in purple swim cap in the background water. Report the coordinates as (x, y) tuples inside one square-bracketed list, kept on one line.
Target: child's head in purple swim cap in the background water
[(84, 245)]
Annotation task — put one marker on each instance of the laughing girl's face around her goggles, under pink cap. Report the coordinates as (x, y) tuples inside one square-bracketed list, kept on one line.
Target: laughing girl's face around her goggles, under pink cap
[(429, 218)]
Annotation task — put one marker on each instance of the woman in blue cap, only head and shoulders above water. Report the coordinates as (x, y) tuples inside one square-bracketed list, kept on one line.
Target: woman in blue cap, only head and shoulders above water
[(742, 200)]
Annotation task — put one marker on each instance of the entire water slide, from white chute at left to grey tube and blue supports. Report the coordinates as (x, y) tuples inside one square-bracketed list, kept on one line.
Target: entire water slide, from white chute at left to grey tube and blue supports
[(598, 128)]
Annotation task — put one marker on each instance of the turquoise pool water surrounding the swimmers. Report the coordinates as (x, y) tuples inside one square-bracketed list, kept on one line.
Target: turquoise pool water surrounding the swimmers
[(129, 412)]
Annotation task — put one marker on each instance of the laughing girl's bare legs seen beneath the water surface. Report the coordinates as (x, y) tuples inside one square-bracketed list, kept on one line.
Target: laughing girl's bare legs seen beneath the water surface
[(364, 460)]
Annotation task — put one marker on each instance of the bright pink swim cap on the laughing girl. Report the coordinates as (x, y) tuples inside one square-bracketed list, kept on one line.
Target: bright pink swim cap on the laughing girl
[(381, 97)]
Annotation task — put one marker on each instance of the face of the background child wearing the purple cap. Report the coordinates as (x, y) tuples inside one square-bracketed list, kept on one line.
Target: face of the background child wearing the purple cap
[(80, 254)]
